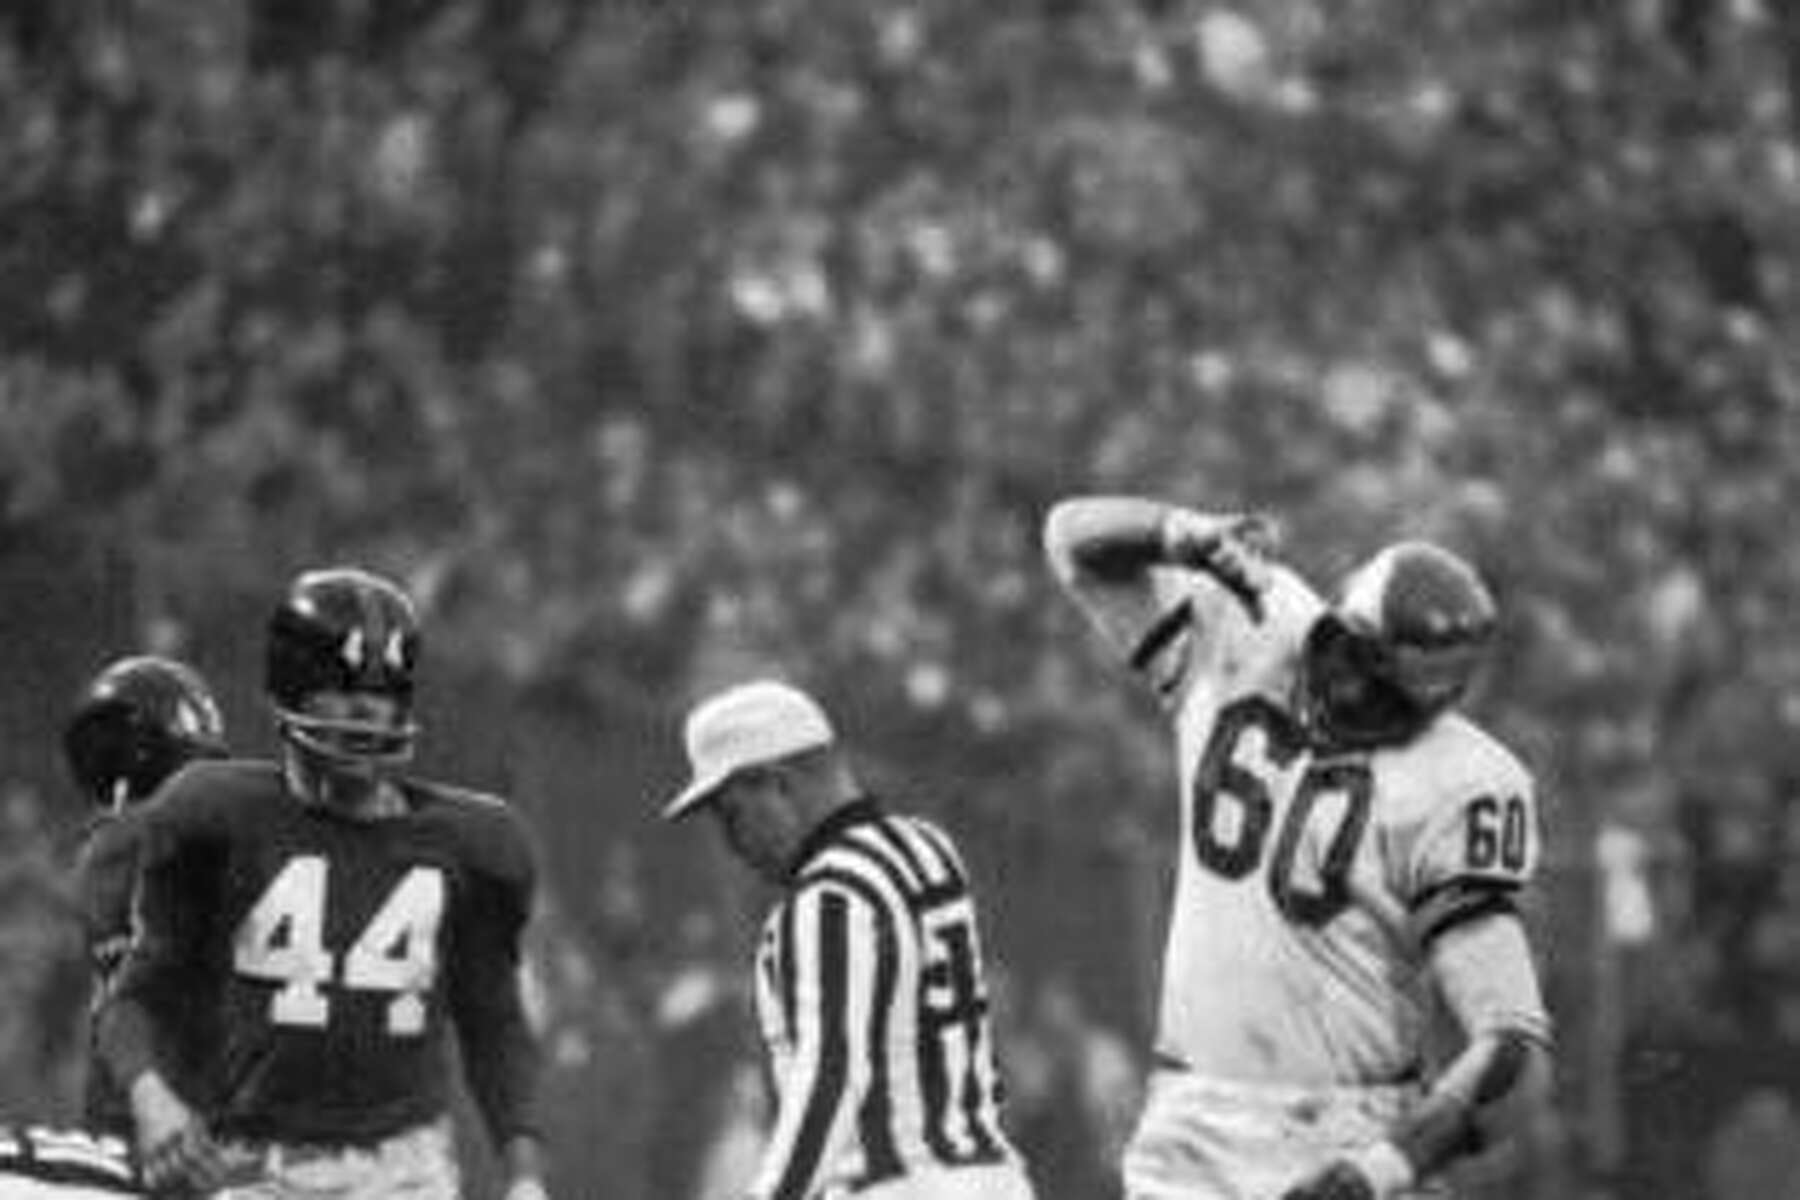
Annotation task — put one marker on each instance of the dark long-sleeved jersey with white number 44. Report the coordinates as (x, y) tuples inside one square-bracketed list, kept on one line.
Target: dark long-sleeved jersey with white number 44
[(341, 954)]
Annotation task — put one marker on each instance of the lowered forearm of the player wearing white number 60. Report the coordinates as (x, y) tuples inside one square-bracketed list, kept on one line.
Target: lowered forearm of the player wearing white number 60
[(1477, 1102)]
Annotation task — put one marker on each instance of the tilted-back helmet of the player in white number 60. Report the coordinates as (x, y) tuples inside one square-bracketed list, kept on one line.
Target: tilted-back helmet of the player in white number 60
[(1401, 645)]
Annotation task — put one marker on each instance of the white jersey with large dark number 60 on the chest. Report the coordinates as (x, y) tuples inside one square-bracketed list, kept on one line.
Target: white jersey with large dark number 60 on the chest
[(1309, 886)]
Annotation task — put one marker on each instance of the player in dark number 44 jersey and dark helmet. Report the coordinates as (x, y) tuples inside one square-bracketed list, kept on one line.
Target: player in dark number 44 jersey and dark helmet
[(350, 917)]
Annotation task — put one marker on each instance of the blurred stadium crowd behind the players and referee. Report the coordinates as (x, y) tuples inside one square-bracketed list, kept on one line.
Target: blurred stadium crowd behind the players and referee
[(654, 343)]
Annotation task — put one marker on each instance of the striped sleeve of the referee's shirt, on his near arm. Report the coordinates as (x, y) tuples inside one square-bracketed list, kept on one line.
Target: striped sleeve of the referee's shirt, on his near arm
[(836, 945)]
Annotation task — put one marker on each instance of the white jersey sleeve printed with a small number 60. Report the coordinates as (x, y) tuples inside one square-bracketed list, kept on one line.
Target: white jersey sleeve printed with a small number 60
[(1475, 848)]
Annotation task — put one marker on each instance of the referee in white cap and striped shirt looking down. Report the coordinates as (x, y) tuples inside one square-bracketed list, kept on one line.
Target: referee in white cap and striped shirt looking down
[(870, 989)]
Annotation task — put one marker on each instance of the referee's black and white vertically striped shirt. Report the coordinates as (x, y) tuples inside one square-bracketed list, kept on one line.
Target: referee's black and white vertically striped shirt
[(874, 1008)]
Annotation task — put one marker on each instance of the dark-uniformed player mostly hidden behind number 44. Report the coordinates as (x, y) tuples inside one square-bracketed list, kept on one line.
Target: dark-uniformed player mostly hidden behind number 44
[(134, 724)]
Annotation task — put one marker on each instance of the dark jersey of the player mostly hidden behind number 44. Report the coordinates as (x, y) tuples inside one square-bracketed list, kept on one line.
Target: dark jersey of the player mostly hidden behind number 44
[(107, 870)]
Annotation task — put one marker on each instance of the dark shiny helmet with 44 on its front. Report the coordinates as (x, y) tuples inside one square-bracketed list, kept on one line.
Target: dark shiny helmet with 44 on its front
[(343, 649)]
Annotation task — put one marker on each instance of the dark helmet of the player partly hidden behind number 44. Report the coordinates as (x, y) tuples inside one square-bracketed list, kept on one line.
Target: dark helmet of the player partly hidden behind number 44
[(136, 724)]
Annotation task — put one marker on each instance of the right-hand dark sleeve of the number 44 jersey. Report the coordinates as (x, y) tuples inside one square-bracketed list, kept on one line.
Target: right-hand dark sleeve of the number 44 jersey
[(485, 971)]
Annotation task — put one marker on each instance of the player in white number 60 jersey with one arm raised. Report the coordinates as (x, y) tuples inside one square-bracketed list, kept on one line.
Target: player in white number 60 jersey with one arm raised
[(1353, 852)]
